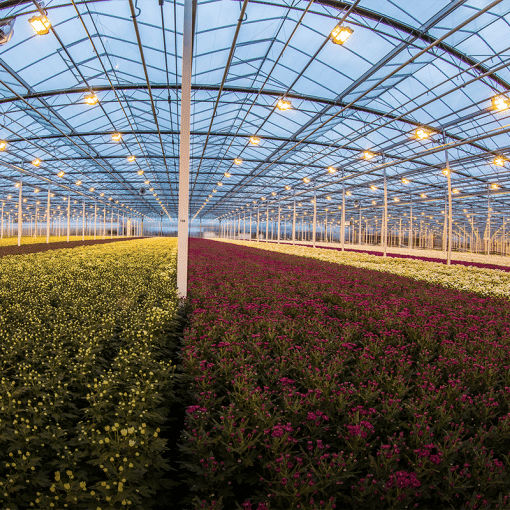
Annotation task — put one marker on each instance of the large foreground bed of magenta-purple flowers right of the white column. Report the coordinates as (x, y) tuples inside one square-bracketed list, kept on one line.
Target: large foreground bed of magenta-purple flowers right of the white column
[(319, 386)]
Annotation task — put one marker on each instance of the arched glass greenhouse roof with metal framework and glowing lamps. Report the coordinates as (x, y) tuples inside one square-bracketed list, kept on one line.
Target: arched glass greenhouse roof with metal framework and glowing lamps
[(277, 98)]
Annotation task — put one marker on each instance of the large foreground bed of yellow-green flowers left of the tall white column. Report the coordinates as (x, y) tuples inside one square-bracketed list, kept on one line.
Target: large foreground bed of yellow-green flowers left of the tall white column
[(86, 375)]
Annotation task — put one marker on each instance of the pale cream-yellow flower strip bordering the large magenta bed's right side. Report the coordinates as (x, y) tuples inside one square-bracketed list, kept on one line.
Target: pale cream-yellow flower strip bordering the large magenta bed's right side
[(482, 280)]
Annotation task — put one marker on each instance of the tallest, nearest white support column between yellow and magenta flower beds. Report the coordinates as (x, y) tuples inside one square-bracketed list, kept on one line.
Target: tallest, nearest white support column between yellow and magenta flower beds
[(184, 153)]
